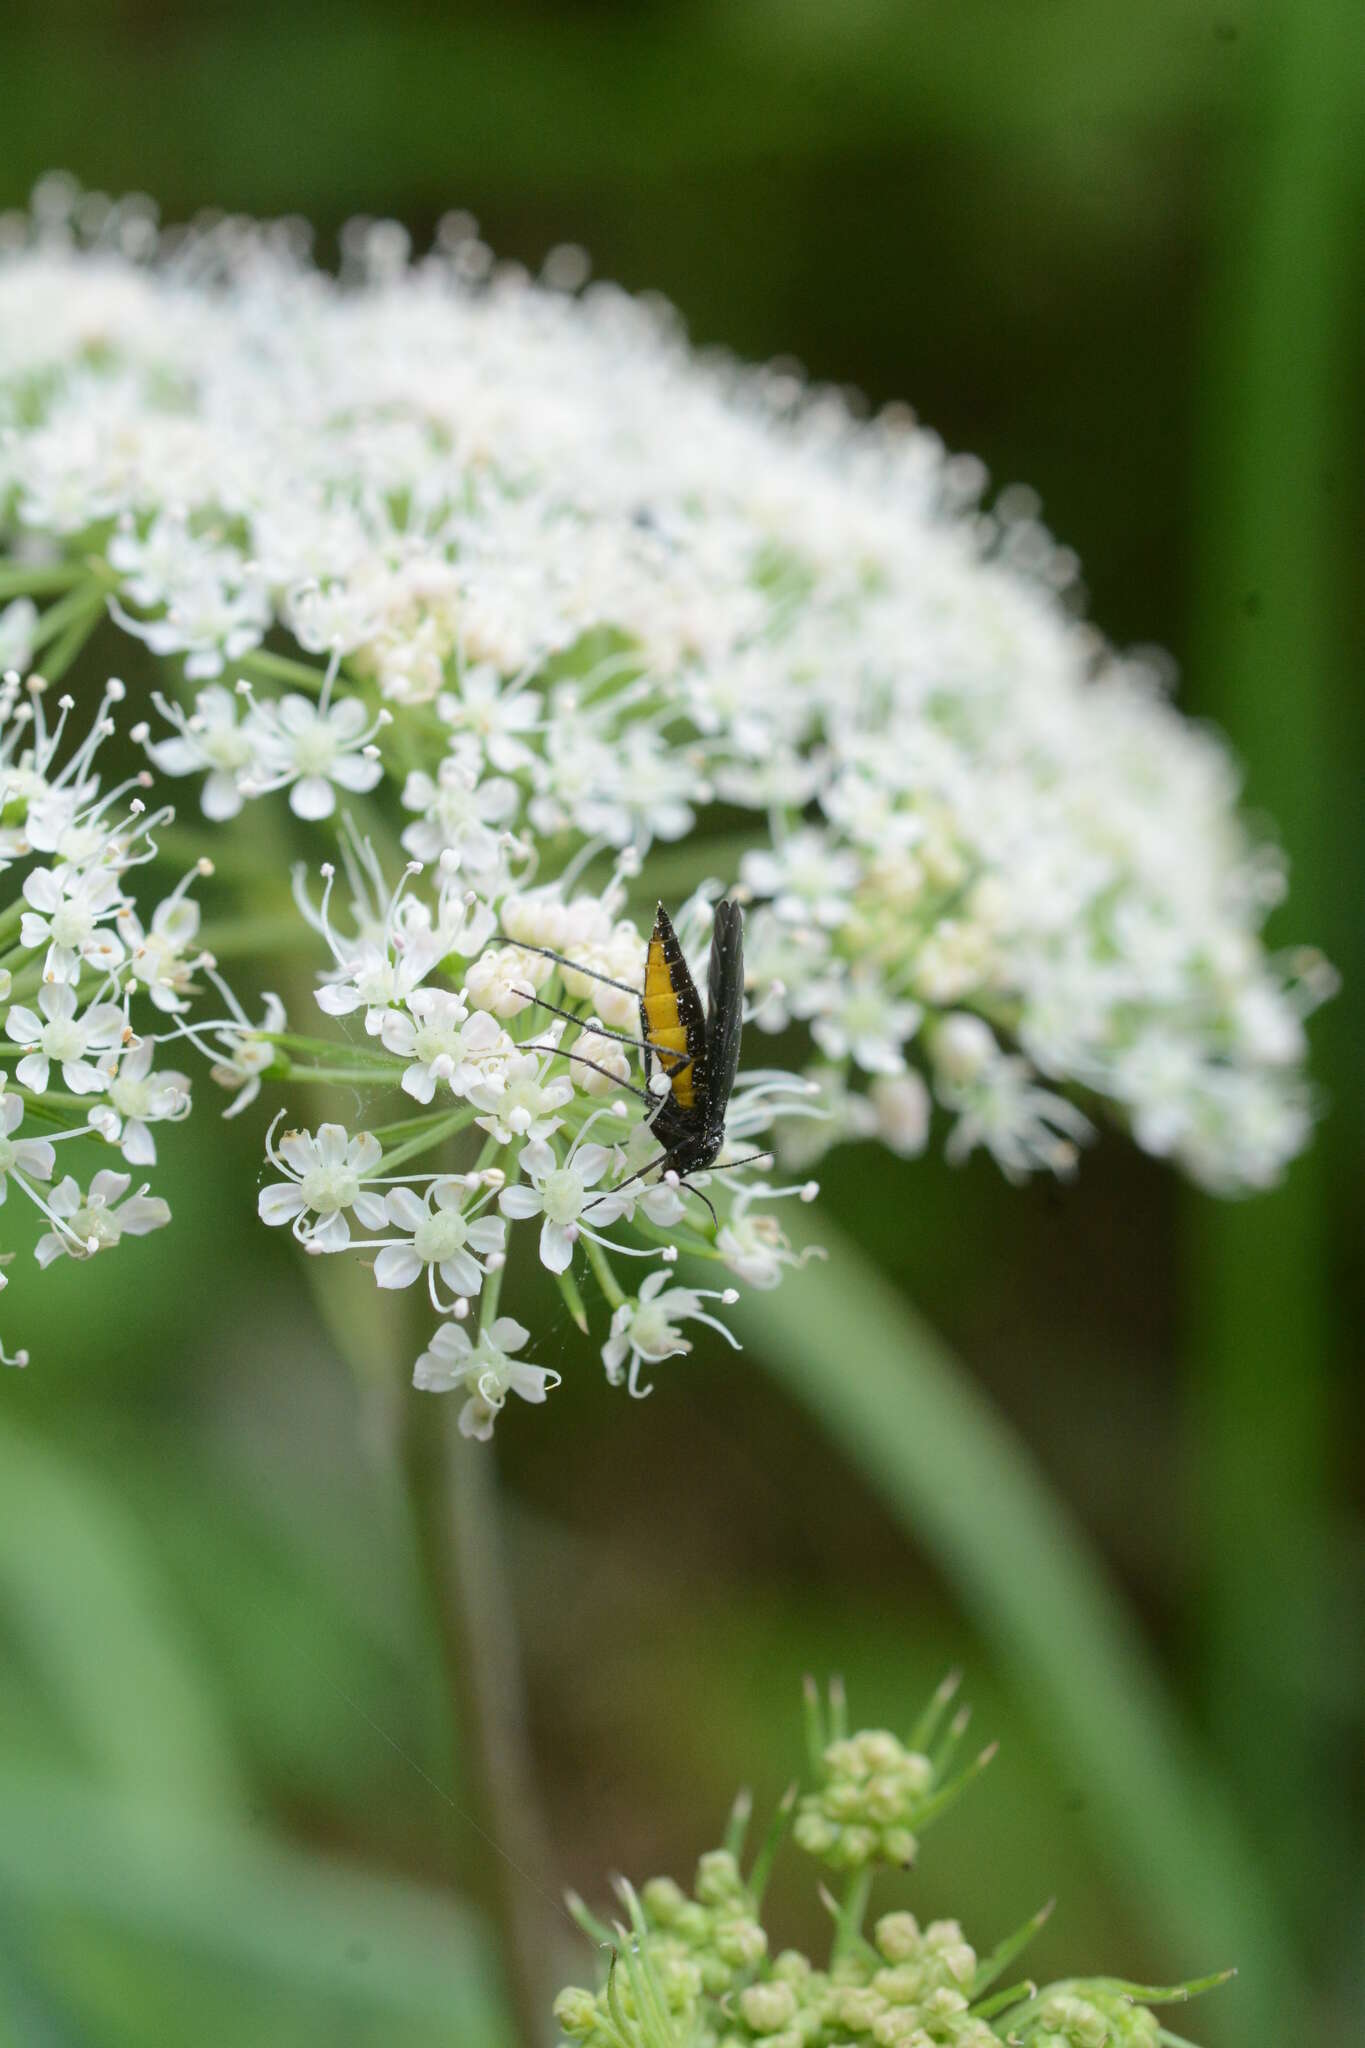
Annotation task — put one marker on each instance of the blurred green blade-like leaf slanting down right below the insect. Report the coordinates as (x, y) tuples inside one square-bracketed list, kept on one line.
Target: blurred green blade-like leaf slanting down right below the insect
[(953, 1474)]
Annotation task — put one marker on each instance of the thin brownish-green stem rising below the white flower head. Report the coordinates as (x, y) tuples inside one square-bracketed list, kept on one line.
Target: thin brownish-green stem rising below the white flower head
[(453, 1492)]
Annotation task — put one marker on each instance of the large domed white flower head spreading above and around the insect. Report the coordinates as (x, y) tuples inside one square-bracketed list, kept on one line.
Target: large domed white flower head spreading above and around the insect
[(511, 562)]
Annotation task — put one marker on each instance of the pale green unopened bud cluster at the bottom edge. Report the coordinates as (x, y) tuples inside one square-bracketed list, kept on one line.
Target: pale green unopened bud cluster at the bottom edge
[(695, 1971)]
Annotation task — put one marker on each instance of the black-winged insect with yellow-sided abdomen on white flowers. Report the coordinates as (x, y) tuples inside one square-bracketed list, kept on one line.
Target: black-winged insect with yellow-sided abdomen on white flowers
[(697, 1050)]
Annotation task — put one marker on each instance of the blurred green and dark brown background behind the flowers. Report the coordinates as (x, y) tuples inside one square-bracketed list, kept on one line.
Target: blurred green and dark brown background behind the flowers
[(1118, 255)]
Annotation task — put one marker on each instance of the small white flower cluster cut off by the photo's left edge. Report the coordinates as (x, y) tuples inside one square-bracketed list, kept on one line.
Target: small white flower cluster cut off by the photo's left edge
[(79, 962)]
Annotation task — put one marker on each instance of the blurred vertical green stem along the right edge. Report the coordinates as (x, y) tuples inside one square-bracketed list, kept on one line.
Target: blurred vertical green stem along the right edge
[(1270, 658)]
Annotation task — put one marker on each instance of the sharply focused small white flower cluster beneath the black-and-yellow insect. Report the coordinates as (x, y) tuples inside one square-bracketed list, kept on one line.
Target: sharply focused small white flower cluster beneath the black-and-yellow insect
[(478, 1033)]
